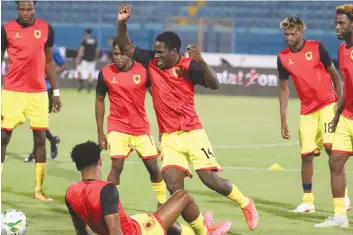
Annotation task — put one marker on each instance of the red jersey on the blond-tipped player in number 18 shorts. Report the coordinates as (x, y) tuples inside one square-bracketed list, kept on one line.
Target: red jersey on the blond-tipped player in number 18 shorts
[(307, 68)]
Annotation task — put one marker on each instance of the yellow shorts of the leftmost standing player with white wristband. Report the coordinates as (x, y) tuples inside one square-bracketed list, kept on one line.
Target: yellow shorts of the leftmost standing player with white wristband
[(17, 106)]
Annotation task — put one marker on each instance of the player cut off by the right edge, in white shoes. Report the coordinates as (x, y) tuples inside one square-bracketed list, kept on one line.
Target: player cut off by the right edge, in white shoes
[(342, 147)]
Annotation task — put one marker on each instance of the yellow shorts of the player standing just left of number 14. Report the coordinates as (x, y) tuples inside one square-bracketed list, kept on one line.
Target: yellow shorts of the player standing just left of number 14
[(121, 145)]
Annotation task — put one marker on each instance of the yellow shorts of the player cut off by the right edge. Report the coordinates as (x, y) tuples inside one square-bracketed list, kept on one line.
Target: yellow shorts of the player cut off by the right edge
[(343, 138)]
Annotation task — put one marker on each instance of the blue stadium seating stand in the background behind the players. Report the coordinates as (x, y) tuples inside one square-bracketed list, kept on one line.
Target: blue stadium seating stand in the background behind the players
[(252, 20)]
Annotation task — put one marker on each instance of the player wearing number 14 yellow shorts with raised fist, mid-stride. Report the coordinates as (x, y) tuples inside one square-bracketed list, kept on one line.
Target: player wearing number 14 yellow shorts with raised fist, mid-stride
[(183, 138)]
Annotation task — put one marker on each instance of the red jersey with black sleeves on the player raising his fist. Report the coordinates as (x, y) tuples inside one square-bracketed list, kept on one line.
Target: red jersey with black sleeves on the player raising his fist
[(173, 92)]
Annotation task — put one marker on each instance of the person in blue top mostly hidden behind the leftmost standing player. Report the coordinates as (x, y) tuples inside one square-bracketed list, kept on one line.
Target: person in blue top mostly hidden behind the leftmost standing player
[(60, 63)]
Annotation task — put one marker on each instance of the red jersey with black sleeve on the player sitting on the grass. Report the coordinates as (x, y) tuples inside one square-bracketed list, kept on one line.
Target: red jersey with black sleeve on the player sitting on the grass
[(91, 200)]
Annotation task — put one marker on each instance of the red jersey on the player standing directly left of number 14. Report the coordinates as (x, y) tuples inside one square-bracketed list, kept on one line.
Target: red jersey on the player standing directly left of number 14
[(127, 92)]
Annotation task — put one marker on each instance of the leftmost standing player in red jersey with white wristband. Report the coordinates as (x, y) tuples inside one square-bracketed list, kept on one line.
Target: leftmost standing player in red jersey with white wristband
[(29, 44)]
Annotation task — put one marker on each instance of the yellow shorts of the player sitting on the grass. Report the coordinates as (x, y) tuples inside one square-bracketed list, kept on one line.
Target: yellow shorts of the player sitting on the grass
[(150, 224)]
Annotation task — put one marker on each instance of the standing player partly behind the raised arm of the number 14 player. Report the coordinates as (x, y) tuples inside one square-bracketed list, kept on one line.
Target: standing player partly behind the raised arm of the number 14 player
[(126, 83)]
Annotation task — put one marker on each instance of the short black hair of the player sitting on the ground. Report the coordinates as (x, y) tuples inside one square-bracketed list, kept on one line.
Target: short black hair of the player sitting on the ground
[(85, 154)]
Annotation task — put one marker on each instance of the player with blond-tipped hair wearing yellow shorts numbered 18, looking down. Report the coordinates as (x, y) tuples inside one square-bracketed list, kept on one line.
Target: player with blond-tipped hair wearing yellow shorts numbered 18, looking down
[(312, 71)]
